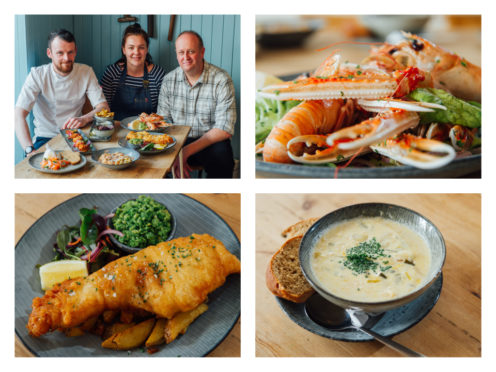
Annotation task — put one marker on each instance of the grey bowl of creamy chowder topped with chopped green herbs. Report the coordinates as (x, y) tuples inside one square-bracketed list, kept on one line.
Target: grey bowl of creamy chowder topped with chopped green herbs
[(373, 257)]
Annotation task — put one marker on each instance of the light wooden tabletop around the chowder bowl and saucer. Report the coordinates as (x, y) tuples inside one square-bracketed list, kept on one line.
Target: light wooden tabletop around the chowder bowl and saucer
[(452, 328)]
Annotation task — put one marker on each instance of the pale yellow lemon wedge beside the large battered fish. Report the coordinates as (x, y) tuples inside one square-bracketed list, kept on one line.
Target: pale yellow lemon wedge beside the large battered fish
[(58, 271)]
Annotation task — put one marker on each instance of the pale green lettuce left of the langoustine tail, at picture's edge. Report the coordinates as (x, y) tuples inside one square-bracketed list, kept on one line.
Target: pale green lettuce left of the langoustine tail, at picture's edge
[(268, 112)]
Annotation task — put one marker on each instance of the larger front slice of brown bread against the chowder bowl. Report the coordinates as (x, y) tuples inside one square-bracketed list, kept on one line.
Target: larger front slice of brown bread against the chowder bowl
[(284, 277)]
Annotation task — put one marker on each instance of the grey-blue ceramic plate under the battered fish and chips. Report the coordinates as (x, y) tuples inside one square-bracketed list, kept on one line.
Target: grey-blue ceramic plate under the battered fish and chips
[(35, 247)]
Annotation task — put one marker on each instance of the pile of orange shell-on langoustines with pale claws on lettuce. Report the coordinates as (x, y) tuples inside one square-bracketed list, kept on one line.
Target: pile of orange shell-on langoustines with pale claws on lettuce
[(390, 72)]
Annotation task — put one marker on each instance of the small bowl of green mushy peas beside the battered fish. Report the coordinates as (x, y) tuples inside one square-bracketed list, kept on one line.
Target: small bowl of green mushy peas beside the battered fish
[(142, 222)]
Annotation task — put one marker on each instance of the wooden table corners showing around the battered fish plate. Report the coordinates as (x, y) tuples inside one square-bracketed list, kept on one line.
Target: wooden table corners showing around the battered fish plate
[(30, 207)]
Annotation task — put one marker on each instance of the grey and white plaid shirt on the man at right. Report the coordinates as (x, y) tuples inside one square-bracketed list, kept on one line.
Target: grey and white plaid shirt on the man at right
[(210, 103)]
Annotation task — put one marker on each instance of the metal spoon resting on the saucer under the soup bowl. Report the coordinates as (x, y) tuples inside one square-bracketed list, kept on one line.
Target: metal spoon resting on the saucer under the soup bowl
[(336, 318)]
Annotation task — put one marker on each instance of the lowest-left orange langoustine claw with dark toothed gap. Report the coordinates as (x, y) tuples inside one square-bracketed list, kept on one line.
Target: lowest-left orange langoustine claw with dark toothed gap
[(313, 149)]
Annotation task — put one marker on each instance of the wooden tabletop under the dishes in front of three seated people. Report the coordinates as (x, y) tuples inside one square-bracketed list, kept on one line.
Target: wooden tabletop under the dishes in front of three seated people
[(147, 166)]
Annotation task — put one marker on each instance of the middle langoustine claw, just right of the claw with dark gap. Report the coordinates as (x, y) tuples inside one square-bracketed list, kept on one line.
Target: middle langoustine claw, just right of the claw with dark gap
[(374, 130)]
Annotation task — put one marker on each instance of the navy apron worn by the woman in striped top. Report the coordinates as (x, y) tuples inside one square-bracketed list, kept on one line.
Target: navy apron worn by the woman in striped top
[(132, 101)]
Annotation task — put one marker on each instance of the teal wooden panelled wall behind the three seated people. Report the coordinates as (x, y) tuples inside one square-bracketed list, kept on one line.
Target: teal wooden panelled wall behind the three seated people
[(99, 38)]
